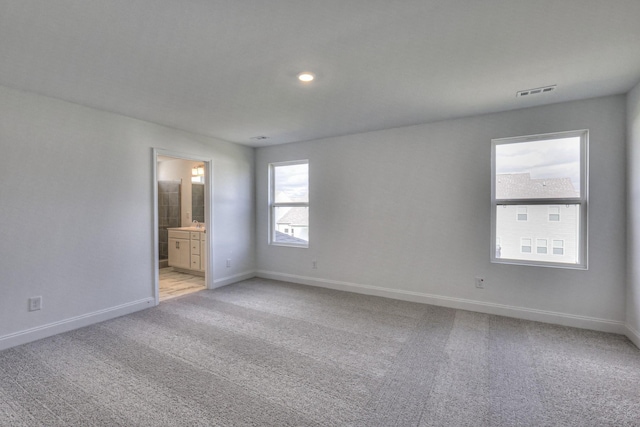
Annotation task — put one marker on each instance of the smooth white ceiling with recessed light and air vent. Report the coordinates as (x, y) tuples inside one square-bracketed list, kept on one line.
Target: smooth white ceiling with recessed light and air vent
[(227, 69)]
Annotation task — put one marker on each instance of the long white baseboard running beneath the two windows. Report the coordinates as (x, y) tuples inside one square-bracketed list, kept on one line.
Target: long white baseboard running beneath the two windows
[(545, 316)]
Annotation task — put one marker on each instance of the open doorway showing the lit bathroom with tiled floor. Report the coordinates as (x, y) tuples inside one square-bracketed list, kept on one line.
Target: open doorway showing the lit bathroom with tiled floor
[(182, 224)]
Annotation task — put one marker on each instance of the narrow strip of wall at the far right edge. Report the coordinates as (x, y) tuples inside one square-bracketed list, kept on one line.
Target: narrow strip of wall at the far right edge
[(633, 220)]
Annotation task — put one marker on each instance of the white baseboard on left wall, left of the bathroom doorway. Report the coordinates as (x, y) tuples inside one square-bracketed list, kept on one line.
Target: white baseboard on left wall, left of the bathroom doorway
[(65, 325)]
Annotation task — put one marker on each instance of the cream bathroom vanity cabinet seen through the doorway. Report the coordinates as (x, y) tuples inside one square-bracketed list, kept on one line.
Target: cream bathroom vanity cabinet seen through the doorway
[(187, 249)]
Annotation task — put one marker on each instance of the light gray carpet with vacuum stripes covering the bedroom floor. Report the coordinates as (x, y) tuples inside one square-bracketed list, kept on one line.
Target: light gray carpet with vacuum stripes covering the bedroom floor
[(267, 353)]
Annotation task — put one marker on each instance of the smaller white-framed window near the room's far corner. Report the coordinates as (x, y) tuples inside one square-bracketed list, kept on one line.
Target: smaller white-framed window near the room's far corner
[(289, 203)]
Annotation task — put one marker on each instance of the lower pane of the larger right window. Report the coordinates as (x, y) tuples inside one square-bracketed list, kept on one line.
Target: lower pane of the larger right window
[(564, 235)]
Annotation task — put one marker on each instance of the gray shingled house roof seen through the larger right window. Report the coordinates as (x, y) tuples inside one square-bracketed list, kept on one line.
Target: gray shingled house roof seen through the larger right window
[(522, 186)]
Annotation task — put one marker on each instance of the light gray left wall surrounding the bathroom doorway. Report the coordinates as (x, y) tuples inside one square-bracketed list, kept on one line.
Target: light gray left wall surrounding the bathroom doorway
[(76, 212)]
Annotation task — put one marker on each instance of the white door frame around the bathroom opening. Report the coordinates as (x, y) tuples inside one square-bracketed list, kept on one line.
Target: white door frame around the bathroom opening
[(208, 214)]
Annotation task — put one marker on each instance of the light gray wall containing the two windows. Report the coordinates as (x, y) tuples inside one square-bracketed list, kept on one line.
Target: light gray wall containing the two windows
[(406, 213)]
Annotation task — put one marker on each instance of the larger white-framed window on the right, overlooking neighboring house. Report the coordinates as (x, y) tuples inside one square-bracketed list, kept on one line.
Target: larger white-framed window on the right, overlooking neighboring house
[(537, 181)]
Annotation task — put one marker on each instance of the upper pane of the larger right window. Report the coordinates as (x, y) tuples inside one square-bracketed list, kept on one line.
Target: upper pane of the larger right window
[(538, 169)]
